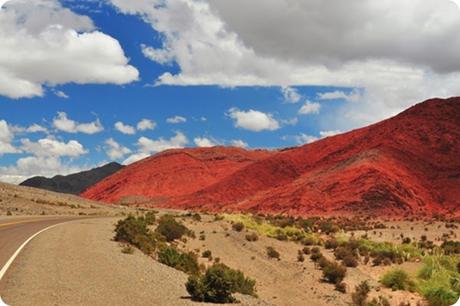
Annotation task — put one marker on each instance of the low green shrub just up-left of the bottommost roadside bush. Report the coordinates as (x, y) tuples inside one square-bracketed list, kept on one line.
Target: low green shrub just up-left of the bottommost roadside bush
[(185, 262)]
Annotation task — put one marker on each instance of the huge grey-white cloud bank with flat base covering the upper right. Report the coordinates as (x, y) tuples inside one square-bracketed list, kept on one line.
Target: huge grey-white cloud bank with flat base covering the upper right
[(395, 60)]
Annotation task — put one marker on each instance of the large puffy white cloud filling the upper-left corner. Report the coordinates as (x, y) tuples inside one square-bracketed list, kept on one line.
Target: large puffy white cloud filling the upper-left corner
[(43, 43)]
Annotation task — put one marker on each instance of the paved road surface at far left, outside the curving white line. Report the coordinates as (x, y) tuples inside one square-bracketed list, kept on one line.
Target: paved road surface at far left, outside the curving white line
[(15, 231)]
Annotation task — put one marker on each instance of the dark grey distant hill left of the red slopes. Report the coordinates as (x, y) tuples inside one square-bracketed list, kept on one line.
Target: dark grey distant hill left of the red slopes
[(74, 183)]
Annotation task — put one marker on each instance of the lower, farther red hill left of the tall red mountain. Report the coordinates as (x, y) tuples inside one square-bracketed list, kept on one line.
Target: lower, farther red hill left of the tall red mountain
[(173, 173)]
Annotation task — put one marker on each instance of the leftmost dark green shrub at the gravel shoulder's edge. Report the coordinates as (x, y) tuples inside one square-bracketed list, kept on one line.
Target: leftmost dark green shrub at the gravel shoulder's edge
[(134, 231)]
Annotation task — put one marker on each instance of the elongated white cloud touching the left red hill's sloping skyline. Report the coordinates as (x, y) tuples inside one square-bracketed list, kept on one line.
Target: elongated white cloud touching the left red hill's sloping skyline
[(147, 146)]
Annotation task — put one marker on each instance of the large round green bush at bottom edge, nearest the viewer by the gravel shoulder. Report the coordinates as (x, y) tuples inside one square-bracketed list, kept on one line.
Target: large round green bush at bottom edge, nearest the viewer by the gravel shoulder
[(218, 284)]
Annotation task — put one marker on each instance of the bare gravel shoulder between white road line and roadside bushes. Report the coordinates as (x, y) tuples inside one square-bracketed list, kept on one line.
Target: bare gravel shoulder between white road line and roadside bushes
[(77, 264)]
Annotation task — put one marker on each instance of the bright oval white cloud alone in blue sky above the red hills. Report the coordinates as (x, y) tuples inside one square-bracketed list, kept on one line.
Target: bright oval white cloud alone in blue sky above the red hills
[(253, 120)]
